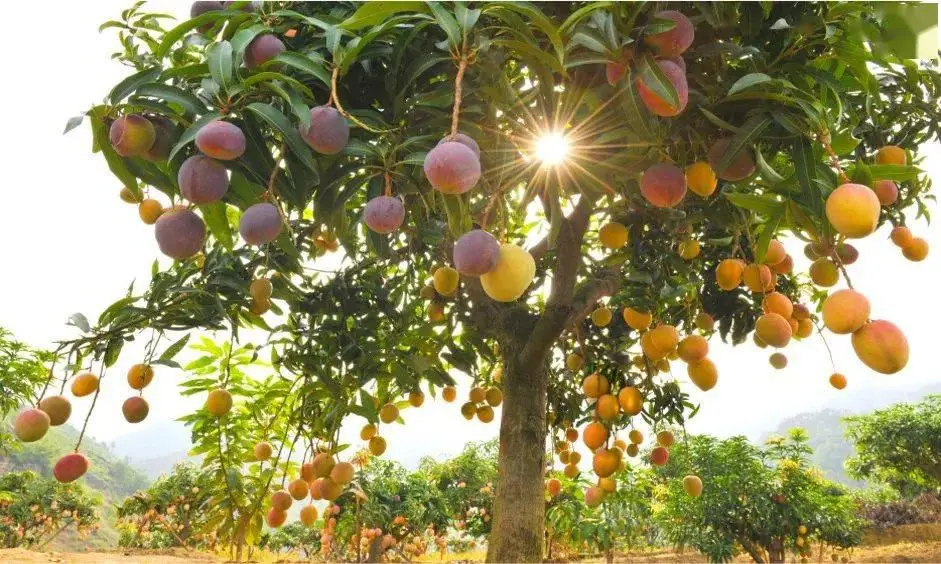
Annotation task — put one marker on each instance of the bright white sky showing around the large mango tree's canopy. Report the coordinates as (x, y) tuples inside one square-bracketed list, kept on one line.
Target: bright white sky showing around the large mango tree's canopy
[(70, 244)]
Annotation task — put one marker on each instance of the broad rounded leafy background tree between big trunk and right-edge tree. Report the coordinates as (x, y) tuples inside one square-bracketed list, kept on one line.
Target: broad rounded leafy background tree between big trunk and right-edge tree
[(764, 501)]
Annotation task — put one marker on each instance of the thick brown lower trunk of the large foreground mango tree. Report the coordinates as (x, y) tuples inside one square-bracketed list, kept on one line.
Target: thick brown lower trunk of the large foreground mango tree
[(519, 507)]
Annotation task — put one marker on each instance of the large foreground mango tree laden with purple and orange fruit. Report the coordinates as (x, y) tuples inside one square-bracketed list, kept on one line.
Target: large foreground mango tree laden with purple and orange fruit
[(556, 199)]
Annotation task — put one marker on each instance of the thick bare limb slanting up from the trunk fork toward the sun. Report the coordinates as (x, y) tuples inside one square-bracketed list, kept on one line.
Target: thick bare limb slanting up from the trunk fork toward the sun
[(559, 308)]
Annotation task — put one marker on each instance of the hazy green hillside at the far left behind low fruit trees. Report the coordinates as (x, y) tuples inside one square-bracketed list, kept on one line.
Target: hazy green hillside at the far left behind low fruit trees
[(109, 476)]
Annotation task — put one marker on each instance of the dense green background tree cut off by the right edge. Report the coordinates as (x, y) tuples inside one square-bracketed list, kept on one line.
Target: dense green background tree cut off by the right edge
[(899, 445)]
